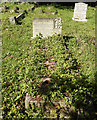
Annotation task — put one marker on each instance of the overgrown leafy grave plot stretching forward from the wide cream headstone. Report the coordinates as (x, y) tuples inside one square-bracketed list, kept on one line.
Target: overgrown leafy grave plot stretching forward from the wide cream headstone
[(48, 100)]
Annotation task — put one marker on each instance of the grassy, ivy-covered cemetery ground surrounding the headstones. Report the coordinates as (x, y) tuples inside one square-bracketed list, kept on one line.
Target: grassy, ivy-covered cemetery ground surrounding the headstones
[(67, 62)]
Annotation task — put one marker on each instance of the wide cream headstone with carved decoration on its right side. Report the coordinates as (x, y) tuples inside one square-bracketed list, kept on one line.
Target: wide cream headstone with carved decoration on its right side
[(47, 26)]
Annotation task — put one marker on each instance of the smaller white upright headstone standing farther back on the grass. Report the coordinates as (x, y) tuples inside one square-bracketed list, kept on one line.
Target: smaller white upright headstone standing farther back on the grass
[(80, 12)]
